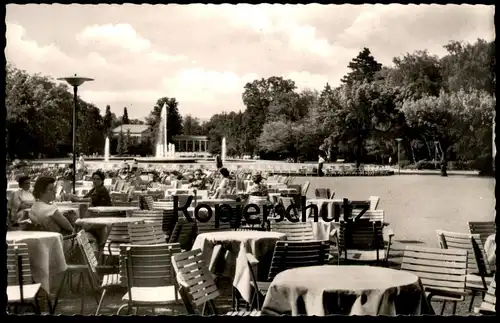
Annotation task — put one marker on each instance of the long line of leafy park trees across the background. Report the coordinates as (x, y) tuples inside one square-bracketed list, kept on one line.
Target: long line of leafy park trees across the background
[(441, 108)]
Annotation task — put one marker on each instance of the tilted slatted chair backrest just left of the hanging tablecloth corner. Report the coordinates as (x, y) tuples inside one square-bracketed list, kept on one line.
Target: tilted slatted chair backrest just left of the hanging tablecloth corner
[(196, 277)]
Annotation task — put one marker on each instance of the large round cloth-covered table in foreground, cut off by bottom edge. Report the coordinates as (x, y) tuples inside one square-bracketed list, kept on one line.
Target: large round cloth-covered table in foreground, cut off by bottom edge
[(345, 290)]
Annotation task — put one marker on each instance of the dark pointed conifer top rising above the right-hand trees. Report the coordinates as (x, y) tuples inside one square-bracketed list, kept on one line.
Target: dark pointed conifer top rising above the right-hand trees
[(363, 68)]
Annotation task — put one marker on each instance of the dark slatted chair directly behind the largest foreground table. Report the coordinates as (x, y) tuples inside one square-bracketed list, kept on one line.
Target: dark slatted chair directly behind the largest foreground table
[(288, 255)]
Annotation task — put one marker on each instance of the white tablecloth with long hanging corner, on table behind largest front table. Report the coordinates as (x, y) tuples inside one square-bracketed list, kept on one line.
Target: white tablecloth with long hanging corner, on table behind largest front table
[(239, 243)]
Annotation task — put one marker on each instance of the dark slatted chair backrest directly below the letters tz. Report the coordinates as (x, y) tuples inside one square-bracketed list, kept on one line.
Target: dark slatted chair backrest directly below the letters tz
[(361, 235)]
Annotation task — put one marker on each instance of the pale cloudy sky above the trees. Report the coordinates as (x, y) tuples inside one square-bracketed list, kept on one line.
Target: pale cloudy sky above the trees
[(203, 55)]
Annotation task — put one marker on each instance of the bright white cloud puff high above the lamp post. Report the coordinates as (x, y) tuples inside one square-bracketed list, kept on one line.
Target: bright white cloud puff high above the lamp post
[(122, 35)]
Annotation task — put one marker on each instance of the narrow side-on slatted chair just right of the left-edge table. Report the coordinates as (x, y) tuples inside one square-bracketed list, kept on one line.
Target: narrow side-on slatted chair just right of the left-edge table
[(104, 278)]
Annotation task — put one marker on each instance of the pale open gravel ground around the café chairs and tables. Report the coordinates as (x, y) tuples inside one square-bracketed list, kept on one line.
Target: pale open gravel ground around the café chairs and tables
[(415, 206)]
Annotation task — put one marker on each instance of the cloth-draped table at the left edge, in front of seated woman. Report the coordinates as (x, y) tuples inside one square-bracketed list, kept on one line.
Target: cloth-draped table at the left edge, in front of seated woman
[(46, 254)]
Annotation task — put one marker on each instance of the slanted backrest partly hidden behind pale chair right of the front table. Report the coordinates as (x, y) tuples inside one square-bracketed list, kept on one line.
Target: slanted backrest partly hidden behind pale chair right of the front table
[(476, 263)]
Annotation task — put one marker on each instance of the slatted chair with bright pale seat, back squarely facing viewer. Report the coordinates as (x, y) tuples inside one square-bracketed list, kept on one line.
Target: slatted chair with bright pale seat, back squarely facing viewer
[(149, 275)]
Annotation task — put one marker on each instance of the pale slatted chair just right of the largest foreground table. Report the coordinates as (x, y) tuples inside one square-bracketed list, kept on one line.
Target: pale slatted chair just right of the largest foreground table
[(441, 271)]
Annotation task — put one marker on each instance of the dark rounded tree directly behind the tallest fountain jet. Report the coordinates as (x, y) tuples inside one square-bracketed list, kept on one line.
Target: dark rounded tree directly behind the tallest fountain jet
[(174, 119)]
